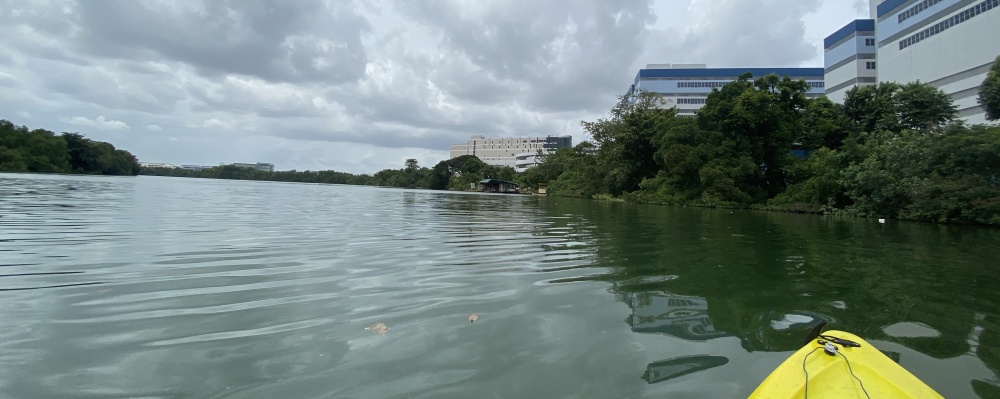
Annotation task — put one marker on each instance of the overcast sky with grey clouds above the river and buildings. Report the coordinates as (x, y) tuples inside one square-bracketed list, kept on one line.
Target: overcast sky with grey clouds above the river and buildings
[(361, 86)]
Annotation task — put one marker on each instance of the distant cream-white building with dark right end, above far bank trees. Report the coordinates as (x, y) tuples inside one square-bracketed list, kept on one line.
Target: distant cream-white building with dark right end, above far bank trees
[(520, 153)]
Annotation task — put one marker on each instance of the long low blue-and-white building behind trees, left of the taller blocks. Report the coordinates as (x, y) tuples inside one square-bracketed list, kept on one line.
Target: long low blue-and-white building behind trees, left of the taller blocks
[(687, 86)]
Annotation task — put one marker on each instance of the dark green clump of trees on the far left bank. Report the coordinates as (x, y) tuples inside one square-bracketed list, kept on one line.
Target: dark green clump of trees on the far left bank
[(42, 151)]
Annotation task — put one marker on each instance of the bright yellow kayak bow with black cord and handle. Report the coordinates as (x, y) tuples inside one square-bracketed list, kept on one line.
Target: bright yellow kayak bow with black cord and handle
[(837, 364)]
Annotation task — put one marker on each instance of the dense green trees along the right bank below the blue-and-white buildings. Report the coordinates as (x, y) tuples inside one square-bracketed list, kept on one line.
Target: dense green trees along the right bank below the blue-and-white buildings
[(891, 151)]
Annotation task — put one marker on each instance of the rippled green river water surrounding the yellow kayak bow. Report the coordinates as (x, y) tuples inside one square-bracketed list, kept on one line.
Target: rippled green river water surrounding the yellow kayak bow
[(155, 287)]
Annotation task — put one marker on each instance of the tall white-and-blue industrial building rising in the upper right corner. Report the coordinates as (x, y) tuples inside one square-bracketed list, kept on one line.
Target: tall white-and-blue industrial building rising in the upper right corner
[(949, 44)]
